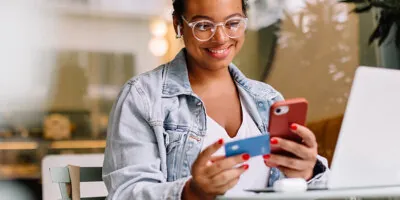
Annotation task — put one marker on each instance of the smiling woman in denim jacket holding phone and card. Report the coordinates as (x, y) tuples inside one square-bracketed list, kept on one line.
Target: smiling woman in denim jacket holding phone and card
[(168, 125)]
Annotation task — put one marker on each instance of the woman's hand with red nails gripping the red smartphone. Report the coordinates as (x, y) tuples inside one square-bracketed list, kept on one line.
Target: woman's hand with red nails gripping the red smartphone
[(301, 167)]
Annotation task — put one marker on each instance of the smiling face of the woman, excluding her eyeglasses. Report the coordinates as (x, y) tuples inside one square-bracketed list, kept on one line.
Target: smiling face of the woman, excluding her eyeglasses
[(219, 51)]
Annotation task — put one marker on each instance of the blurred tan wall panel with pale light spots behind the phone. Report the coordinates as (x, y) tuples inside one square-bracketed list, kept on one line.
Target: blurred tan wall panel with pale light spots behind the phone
[(317, 56)]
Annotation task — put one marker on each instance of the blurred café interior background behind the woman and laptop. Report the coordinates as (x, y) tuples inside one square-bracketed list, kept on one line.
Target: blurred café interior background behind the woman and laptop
[(62, 64)]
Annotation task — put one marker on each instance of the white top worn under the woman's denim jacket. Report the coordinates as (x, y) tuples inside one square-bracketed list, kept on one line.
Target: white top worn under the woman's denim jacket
[(257, 174)]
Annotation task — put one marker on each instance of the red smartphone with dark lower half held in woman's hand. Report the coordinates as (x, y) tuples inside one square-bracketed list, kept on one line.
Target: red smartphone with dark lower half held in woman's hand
[(282, 115)]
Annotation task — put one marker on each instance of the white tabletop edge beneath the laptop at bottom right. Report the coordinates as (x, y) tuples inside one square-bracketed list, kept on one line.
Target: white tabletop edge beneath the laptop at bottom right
[(371, 193)]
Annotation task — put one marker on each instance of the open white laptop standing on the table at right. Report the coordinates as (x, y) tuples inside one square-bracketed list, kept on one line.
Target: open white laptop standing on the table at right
[(367, 152)]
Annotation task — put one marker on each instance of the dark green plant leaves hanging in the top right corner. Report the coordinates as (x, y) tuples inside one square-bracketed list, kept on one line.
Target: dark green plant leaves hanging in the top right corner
[(387, 31)]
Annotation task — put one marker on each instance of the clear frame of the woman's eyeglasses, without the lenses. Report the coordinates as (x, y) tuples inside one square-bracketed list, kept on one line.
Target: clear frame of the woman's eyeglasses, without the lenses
[(193, 24)]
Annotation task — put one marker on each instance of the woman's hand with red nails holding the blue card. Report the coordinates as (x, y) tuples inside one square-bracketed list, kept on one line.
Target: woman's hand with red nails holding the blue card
[(212, 176)]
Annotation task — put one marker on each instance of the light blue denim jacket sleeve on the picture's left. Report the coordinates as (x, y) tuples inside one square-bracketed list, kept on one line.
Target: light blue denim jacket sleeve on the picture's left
[(132, 162)]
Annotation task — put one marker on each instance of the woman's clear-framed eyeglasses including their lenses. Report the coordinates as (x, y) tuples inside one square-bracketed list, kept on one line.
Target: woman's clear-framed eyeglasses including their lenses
[(204, 30)]
